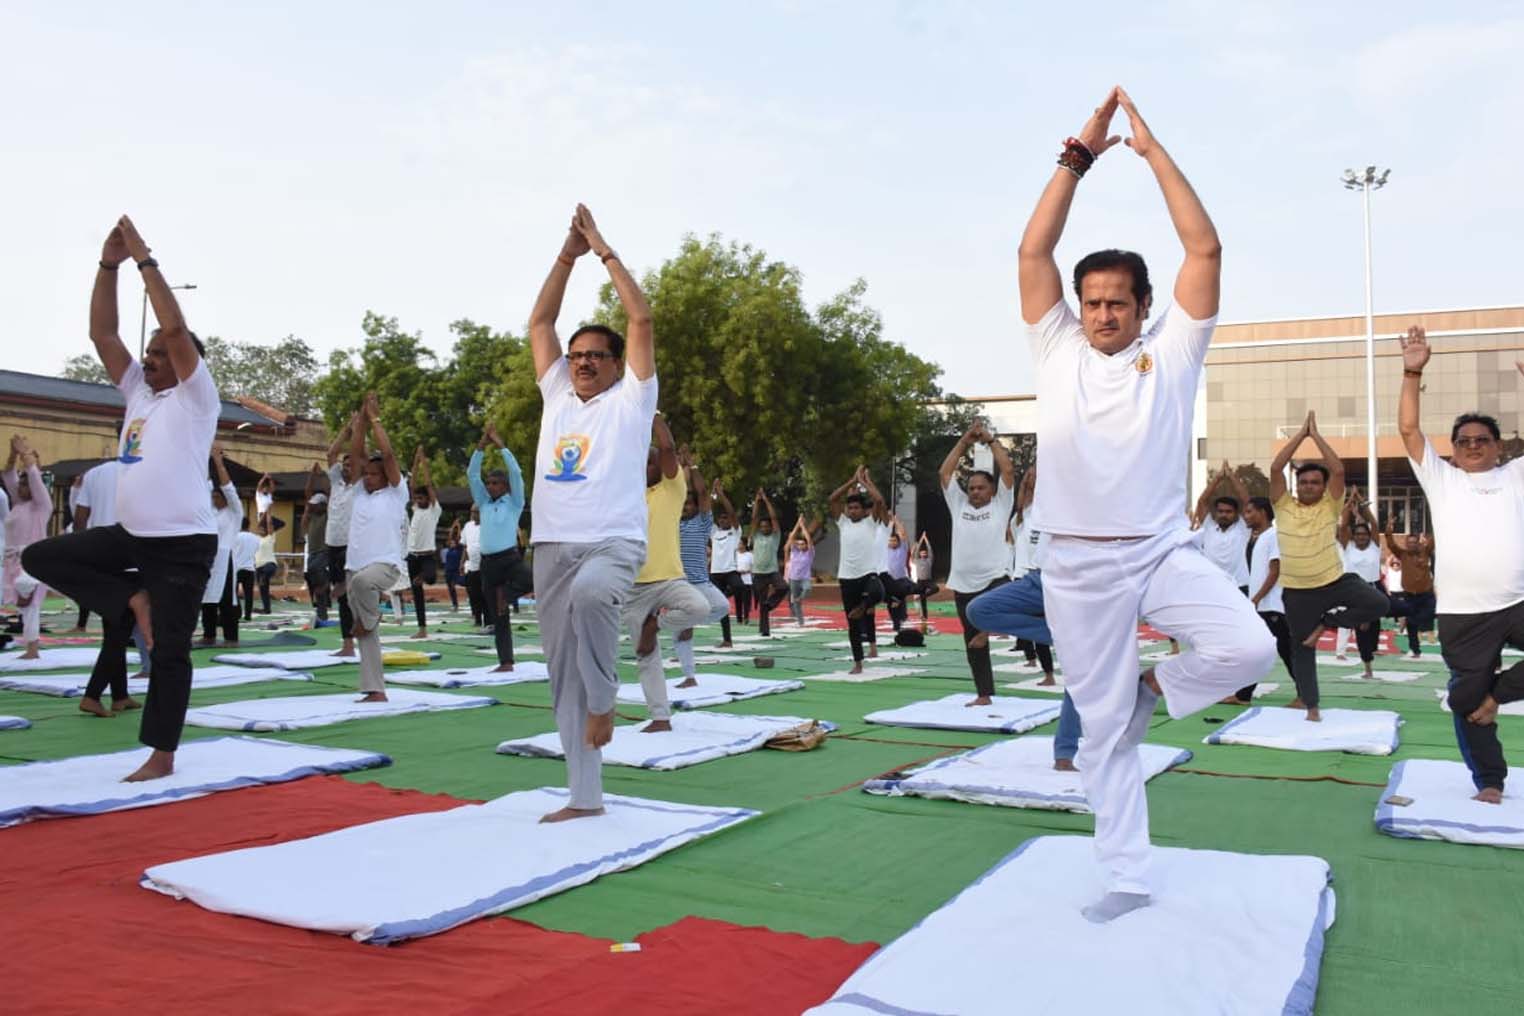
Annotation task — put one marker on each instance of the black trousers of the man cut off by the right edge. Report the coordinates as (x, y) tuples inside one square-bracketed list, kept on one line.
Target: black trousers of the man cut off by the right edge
[(1471, 645)]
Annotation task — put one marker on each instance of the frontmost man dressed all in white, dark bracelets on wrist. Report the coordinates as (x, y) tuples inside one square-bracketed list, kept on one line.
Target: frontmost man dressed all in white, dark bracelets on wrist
[(1115, 430)]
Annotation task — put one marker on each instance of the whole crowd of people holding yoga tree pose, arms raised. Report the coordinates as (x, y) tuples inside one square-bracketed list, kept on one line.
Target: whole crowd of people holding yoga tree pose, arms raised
[(629, 534)]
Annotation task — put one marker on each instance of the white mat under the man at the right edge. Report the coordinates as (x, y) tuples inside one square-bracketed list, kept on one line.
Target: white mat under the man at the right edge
[(1442, 807)]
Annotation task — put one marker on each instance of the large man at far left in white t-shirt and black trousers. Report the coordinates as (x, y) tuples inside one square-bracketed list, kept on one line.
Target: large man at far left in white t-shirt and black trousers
[(165, 526)]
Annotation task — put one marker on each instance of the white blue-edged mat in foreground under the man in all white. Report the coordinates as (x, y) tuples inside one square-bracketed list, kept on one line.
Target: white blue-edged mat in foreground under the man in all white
[(1246, 936)]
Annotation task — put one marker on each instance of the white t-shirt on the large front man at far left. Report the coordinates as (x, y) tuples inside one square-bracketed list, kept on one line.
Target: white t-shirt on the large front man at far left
[(165, 452)]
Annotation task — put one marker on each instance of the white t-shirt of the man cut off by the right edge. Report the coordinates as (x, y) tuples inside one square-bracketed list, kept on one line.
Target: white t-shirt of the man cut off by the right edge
[(1479, 534)]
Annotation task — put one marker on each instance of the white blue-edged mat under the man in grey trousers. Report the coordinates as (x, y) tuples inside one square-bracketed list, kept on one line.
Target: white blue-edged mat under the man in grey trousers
[(376, 883)]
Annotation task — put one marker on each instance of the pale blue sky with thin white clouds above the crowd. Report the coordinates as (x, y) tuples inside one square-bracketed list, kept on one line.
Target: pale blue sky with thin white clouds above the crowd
[(307, 162)]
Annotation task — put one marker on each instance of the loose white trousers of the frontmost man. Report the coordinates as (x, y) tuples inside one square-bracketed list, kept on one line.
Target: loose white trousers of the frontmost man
[(1095, 593)]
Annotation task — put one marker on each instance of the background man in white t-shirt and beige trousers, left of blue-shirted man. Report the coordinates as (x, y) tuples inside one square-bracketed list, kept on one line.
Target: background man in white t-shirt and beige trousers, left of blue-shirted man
[(374, 560)]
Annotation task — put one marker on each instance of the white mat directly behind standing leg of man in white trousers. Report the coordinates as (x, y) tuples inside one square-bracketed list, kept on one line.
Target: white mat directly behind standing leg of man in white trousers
[(1014, 773)]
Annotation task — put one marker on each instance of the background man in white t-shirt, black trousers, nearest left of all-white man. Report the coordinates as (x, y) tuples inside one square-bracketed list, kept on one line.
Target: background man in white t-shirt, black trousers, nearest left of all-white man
[(979, 543)]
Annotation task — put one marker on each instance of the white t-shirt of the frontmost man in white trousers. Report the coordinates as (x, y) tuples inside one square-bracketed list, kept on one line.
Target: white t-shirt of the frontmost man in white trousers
[(1116, 430)]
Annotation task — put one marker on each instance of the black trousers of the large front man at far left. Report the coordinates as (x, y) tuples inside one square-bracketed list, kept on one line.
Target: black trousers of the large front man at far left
[(95, 569)]
